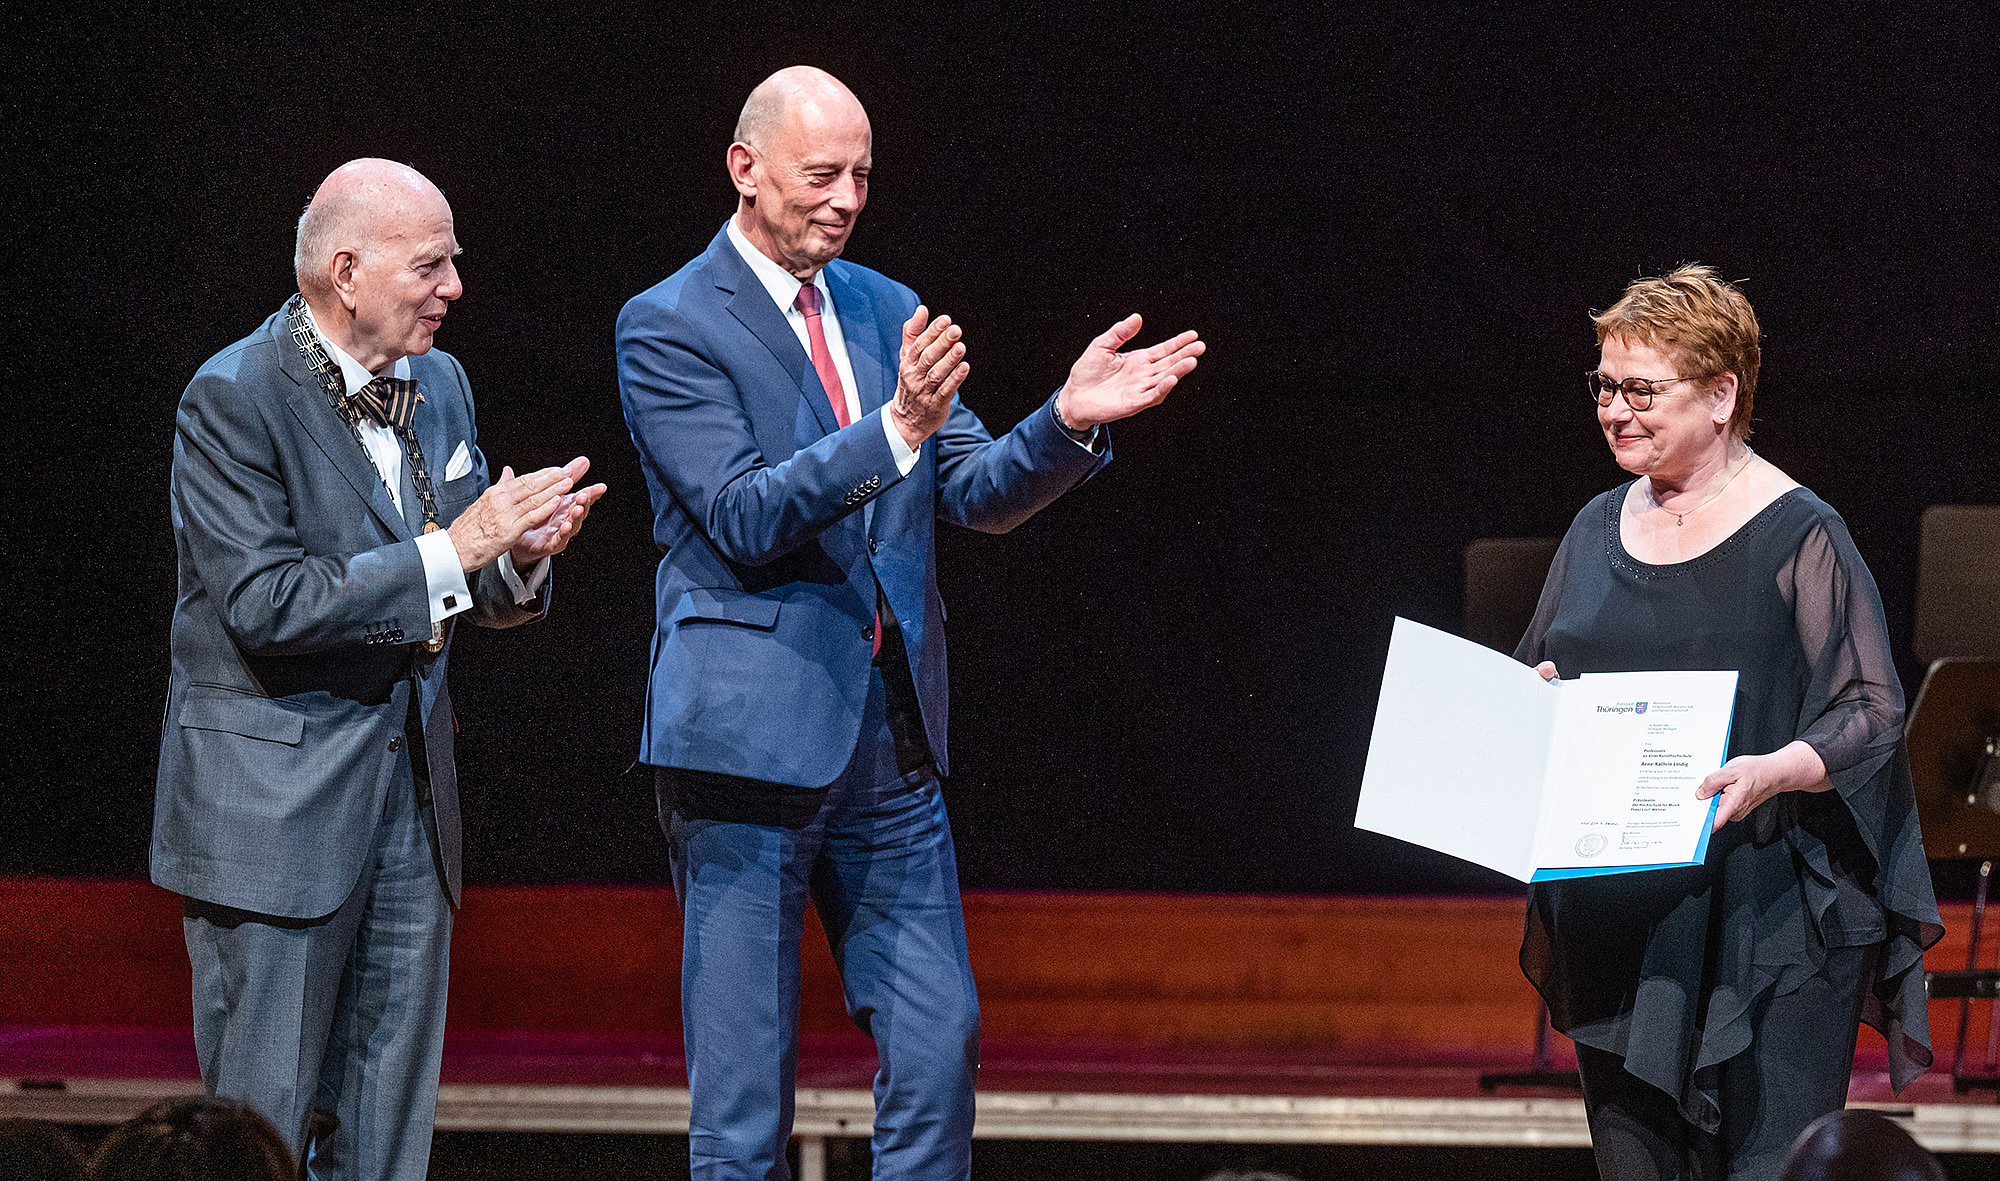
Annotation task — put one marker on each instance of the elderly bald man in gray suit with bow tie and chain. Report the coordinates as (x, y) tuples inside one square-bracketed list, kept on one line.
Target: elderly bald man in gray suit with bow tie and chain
[(333, 521)]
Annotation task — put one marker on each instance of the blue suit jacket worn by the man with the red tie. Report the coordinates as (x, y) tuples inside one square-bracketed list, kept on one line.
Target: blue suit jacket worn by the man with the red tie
[(769, 583)]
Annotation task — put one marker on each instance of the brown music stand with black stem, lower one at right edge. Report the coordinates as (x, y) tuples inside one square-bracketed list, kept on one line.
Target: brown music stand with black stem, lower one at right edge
[(1953, 728)]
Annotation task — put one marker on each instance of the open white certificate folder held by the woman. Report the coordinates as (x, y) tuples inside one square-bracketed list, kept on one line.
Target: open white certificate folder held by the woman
[(1475, 756)]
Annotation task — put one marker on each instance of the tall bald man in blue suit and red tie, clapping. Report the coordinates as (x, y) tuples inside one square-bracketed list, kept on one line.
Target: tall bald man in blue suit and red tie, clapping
[(801, 433)]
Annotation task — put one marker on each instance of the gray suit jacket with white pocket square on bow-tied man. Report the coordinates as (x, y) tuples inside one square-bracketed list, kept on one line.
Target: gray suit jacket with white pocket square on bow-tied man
[(297, 634)]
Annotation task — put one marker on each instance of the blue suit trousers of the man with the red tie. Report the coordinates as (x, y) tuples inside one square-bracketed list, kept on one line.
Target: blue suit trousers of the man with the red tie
[(875, 858)]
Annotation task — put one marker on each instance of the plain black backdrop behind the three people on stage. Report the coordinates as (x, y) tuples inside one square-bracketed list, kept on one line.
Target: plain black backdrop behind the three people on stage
[(1389, 223)]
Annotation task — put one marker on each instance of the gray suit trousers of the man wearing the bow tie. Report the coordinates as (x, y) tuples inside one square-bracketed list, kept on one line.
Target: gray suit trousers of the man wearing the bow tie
[(343, 1016)]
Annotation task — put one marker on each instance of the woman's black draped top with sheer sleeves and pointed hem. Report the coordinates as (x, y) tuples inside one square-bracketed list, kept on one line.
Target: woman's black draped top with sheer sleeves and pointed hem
[(1665, 968)]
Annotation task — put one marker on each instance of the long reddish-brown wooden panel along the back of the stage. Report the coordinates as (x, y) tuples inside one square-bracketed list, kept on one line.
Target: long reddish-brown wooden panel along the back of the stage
[(1409, 976)]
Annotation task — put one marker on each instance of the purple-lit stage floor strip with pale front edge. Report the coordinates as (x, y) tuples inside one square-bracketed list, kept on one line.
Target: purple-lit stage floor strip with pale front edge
[(1029, 1092)]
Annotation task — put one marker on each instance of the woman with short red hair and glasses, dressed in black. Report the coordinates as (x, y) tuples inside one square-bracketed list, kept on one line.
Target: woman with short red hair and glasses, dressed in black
[(1715, 1008)]
